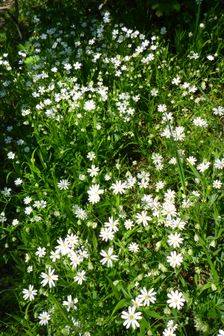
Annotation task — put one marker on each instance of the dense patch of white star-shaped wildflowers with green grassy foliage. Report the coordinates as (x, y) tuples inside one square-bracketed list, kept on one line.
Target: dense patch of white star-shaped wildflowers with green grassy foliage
[(113, 180)]
